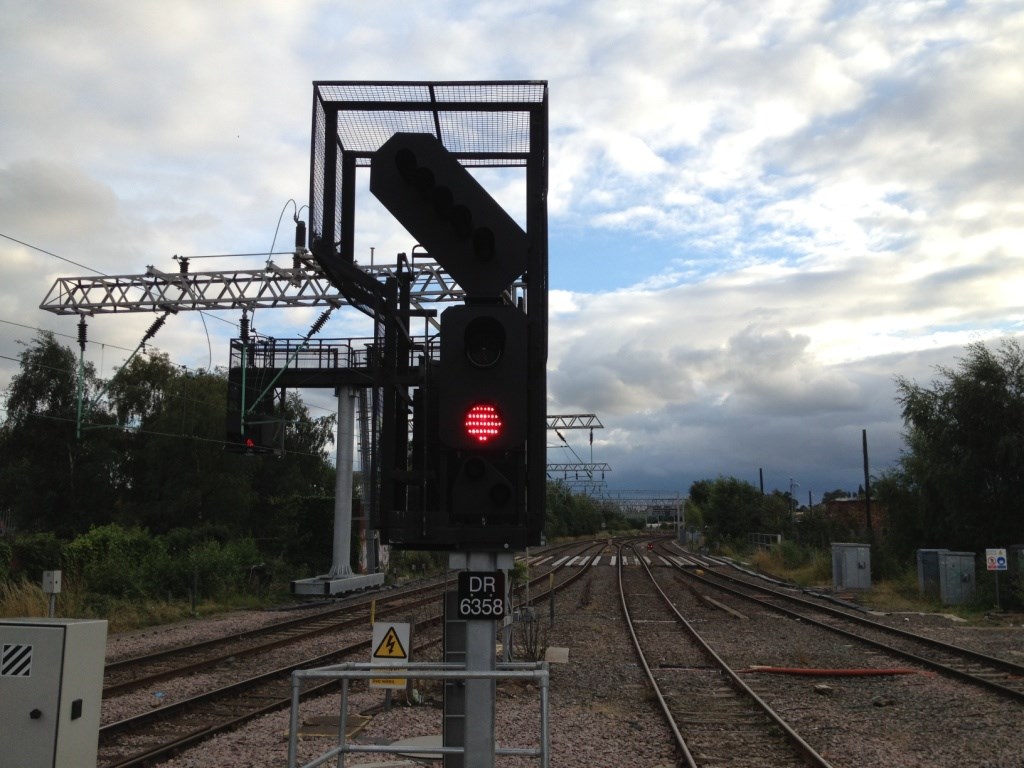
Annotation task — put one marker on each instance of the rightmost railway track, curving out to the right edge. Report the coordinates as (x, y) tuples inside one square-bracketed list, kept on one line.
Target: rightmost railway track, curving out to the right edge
[(1000, 675)]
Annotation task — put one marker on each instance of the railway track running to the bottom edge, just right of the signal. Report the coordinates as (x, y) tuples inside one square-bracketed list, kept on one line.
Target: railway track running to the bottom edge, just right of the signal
[(715, 717)]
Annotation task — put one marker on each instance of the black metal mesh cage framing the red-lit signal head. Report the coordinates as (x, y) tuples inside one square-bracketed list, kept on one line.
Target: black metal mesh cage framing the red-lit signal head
[(483, 125)]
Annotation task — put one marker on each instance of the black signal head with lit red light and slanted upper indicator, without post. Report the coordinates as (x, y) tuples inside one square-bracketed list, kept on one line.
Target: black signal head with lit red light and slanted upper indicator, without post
[(478, 425)]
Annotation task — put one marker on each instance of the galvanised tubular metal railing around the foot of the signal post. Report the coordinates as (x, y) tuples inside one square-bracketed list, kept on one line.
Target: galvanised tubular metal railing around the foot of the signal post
[(415, 671)]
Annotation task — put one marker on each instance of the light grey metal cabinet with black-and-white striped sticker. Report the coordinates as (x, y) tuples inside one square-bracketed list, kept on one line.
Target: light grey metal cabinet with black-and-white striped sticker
[(52, 685)]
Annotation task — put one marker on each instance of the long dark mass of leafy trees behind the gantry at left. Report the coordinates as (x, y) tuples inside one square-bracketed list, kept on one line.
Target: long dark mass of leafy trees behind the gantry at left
[(151, 454)]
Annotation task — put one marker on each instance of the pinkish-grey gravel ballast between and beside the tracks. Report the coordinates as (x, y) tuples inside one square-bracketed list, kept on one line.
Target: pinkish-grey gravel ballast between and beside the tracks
[(604, 715)]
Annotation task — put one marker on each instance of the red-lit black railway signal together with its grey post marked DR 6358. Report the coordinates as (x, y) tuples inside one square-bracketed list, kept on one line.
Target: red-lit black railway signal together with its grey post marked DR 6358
[(481, 418)]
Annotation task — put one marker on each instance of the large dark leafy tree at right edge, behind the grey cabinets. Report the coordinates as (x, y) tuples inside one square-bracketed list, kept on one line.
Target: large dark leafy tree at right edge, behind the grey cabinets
[(965, 458)]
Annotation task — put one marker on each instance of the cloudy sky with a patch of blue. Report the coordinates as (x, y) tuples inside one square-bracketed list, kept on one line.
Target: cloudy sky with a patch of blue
[(760, 212)]
